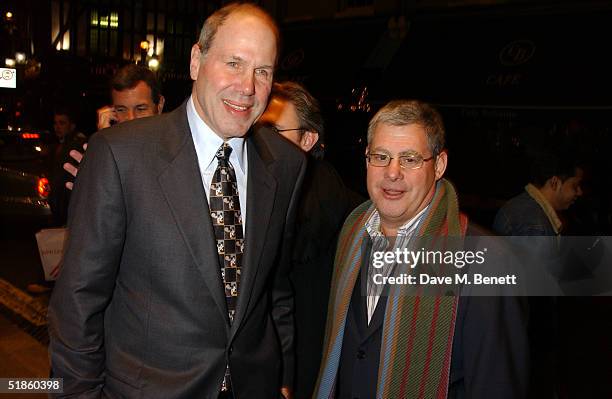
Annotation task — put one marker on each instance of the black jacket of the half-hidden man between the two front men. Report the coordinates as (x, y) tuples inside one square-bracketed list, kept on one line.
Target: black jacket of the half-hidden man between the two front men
[(324, 204)]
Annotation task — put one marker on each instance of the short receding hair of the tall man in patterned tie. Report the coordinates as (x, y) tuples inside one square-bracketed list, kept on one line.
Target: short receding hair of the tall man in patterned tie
[(219, 17)]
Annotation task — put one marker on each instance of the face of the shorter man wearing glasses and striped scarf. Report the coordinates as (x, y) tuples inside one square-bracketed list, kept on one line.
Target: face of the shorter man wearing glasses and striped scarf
[(400, 194)]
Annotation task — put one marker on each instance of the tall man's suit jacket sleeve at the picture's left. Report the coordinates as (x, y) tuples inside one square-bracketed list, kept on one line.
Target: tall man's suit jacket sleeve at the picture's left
[(97, 222)]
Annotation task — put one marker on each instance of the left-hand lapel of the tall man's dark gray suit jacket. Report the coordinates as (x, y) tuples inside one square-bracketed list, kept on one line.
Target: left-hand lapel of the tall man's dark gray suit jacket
[(181, 183)]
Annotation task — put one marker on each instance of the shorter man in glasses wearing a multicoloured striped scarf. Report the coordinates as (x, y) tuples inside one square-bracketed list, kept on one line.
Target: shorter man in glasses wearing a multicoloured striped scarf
[(385, 343)]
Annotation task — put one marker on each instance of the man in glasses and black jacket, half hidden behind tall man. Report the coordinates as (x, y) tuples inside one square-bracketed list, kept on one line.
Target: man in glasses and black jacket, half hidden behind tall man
[(324, 204)]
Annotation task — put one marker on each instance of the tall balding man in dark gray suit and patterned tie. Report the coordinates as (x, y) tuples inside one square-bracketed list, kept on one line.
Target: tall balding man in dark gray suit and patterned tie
[(151, 302)]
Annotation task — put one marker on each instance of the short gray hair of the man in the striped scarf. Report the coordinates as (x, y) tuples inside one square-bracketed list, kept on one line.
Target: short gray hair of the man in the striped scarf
[(409, 112)]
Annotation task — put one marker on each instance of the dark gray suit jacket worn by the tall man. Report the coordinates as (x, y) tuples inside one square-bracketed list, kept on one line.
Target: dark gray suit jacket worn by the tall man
[(139, 309)]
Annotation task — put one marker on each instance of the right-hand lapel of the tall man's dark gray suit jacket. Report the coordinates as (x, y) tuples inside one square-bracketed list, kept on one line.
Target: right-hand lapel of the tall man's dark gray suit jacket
[(261, 189)]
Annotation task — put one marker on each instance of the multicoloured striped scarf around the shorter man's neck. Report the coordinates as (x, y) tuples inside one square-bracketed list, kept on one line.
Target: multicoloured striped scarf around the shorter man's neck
[(417, 331)]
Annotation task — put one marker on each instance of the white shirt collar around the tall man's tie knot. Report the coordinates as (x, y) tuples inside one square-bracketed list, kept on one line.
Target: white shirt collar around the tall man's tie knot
[(208, 142)]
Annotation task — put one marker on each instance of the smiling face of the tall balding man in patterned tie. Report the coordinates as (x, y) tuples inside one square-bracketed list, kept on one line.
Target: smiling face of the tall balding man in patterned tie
[(233, 80)]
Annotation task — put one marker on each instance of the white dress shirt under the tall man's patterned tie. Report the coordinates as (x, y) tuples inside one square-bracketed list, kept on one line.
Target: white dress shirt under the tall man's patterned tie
[(207, 143)]
